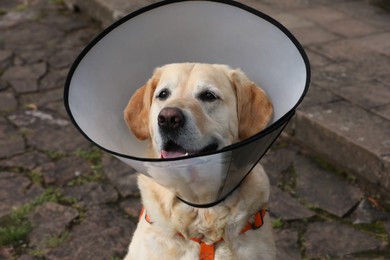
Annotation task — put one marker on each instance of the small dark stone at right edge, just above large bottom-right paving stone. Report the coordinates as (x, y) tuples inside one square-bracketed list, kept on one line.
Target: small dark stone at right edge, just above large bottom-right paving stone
[(366, 213)]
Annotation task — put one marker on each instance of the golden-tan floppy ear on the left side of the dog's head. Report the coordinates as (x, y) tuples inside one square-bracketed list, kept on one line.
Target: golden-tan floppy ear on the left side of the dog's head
[(137, 110)]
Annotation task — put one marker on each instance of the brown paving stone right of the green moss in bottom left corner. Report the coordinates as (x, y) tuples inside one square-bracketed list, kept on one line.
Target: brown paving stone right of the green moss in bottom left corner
[(49, 220)]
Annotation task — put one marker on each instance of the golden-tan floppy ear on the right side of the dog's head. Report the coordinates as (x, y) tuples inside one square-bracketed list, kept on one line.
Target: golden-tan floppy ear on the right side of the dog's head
[(254, 108)]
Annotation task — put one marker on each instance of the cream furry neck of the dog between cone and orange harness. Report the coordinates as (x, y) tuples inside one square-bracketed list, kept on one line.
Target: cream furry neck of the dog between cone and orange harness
[(172, 216)]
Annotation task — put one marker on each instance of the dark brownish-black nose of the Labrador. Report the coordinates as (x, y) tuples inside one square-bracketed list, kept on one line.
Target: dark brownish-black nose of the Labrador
[(170, 118)]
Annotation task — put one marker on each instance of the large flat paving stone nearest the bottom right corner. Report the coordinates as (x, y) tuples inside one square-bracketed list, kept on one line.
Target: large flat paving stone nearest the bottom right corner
[(337, 240)]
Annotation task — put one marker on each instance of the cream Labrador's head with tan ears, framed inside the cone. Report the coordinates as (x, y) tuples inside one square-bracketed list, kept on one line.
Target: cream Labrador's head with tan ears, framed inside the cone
[(191, 108)]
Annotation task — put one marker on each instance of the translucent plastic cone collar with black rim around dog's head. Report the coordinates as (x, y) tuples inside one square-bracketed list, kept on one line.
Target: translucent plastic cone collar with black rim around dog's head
[(122, 57)]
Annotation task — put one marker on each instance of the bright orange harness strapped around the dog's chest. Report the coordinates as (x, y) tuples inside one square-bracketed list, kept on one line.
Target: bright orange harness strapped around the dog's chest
[(207, 251)]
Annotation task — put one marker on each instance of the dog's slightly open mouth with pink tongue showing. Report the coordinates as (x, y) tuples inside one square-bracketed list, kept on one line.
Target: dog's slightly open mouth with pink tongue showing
[(173, 150)]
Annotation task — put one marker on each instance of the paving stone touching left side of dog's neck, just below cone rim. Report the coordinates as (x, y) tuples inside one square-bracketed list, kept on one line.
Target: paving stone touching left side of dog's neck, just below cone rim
[(122, 176)]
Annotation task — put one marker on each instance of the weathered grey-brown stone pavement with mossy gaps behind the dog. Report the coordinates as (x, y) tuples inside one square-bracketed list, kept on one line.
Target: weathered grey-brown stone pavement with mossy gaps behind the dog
[(61, 198)]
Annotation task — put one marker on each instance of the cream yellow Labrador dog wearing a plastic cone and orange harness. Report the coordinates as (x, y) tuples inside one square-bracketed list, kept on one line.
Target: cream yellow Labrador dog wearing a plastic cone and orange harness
[(193, 108)]
